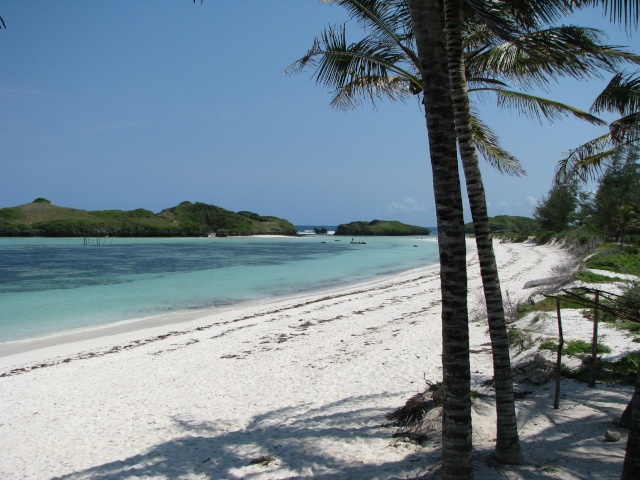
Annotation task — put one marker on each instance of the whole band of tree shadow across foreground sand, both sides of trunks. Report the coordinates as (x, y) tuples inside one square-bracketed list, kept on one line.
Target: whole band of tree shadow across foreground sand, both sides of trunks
[(290, 443)]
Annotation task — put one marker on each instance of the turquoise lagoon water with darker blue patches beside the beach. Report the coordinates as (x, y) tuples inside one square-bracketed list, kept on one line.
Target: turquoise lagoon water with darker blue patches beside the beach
[(49, 286)]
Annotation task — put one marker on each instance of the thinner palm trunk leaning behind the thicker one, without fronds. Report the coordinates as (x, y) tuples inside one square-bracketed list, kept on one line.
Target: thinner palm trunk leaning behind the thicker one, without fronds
[(508, 443)]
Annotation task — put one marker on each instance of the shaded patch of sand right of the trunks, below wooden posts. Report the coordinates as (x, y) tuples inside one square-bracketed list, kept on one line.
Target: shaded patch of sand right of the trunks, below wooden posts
[(568, 442)]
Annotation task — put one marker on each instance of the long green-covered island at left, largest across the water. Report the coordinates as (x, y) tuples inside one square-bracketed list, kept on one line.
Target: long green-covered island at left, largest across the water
[(41, 218)]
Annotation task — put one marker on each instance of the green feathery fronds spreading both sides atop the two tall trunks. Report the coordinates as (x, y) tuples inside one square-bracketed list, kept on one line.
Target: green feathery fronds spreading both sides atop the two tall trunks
[(384, 65)]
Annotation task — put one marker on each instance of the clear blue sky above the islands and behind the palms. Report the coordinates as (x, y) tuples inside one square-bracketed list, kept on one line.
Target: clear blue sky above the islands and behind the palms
[(144, 104)]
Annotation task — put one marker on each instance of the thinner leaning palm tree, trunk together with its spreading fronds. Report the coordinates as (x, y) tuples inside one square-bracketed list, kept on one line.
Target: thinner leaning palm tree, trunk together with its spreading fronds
[(384, 64)]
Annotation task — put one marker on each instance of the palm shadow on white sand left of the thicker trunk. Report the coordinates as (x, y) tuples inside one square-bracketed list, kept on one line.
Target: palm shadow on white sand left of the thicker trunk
[(285, 443)]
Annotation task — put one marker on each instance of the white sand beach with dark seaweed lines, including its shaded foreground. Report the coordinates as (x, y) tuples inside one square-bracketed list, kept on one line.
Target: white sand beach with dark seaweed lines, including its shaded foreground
[(305, 381)]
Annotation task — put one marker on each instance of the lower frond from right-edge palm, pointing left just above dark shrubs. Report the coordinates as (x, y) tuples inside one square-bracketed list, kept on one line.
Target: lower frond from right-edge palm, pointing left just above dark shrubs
[(587, 162)]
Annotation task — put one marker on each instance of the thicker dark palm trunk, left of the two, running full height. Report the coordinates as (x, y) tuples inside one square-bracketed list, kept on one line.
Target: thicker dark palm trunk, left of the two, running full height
[(456, 433)]
